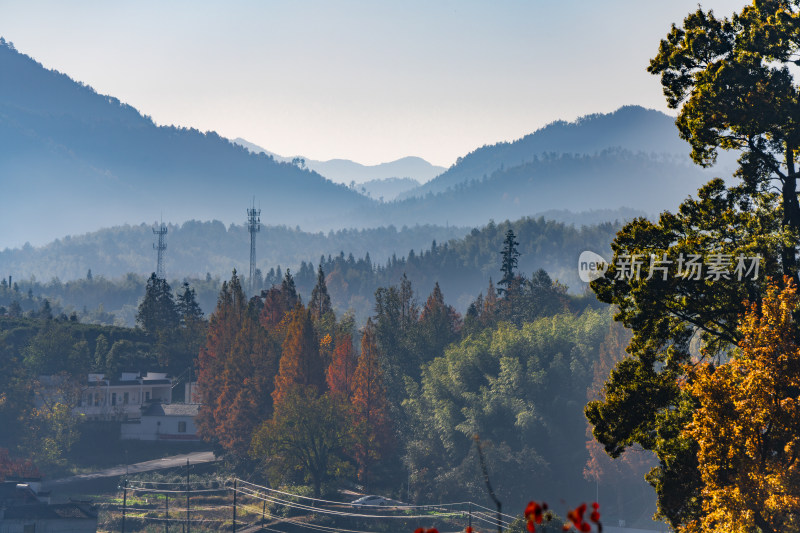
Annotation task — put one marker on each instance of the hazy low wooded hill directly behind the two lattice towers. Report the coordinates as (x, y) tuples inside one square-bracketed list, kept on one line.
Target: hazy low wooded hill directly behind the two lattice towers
[(195, 248)]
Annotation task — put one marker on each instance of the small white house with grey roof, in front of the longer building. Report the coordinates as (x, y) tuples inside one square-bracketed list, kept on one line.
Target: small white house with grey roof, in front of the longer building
[(168, 422)]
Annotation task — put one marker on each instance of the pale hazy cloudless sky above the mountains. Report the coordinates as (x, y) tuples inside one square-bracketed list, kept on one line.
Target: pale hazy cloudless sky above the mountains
[(370, 81)]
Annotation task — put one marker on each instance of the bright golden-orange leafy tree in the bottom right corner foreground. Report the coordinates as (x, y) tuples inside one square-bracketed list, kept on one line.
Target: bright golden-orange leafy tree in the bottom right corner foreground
[(747, 425)]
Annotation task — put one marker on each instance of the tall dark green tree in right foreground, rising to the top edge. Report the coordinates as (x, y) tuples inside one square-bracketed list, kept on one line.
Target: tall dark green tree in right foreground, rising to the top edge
[(732, 81)]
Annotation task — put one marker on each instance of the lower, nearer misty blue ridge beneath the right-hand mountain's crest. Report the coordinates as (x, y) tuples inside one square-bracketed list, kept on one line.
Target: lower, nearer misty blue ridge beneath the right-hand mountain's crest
[(574, 182)]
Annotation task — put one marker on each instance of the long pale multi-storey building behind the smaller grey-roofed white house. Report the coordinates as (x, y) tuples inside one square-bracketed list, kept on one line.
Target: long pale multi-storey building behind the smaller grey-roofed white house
[(123, 399)]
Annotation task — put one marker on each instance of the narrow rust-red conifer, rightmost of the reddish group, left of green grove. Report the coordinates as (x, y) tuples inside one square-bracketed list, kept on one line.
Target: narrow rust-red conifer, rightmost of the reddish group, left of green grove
[(371, 423)]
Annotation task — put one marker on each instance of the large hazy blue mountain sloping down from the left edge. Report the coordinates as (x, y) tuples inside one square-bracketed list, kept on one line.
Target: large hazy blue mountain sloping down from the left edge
[(93, 161)]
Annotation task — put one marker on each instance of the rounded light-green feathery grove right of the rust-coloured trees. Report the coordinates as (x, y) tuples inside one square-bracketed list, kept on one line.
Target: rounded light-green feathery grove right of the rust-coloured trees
[(522, 390)]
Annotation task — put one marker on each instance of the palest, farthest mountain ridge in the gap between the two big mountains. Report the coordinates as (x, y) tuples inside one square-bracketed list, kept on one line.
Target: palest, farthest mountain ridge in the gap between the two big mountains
[(346, 171)]
